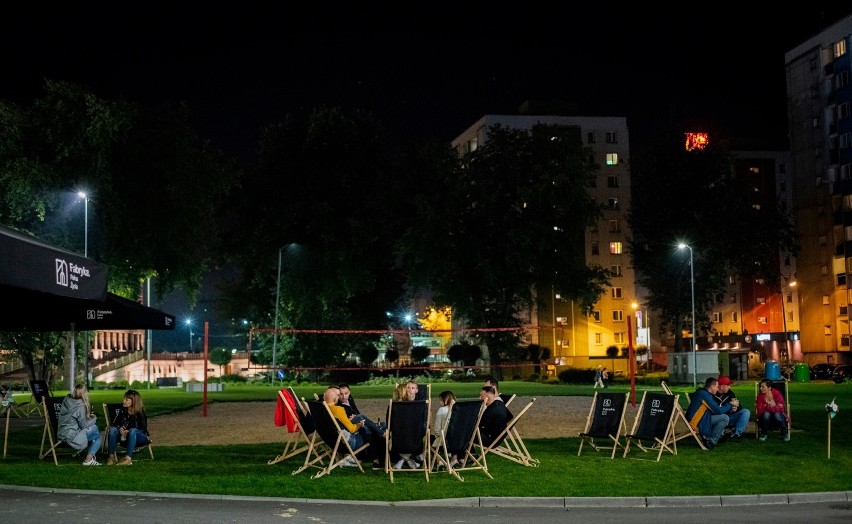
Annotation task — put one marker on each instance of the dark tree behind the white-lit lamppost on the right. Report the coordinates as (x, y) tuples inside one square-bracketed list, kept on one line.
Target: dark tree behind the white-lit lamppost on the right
[(745, 244)]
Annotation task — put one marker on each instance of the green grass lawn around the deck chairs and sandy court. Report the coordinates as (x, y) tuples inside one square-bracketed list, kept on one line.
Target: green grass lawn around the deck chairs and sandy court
[(748, 467)]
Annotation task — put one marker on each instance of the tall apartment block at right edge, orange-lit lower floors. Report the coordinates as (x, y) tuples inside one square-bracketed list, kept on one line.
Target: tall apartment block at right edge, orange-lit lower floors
[(819, 107)]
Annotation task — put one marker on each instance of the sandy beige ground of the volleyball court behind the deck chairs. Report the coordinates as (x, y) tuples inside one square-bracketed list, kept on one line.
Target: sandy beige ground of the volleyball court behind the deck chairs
[(253, 422)]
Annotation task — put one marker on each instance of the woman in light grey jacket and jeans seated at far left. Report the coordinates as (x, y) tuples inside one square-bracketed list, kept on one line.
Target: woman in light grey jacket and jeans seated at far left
[(77, 425)]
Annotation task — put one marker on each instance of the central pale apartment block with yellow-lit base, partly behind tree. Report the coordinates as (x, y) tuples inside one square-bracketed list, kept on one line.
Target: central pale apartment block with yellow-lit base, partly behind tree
[(572, 336)]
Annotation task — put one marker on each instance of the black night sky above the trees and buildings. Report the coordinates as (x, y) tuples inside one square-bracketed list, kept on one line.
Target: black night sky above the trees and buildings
[(425, 72)]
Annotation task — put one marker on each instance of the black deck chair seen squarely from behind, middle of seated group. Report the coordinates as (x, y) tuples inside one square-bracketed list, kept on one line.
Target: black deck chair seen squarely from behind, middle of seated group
[(406, 429)]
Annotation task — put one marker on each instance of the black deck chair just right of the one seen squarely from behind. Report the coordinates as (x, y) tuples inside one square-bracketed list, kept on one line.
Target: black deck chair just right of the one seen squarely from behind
[(460, 434)]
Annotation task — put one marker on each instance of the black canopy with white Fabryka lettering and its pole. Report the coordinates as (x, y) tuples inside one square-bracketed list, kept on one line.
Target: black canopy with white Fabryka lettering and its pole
[(44, 288)]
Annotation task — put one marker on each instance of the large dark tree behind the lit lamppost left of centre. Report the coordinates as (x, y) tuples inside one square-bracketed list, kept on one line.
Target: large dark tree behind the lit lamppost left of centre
[(316, 198)]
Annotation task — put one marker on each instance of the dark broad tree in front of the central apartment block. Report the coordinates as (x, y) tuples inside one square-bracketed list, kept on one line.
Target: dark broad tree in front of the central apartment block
[(509, 218)]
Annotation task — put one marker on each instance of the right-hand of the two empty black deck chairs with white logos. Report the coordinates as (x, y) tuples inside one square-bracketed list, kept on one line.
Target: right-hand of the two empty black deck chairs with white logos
[(654, 423)]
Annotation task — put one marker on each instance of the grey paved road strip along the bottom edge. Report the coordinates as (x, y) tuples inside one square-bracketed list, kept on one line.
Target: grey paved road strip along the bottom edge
[(40, 505)]
